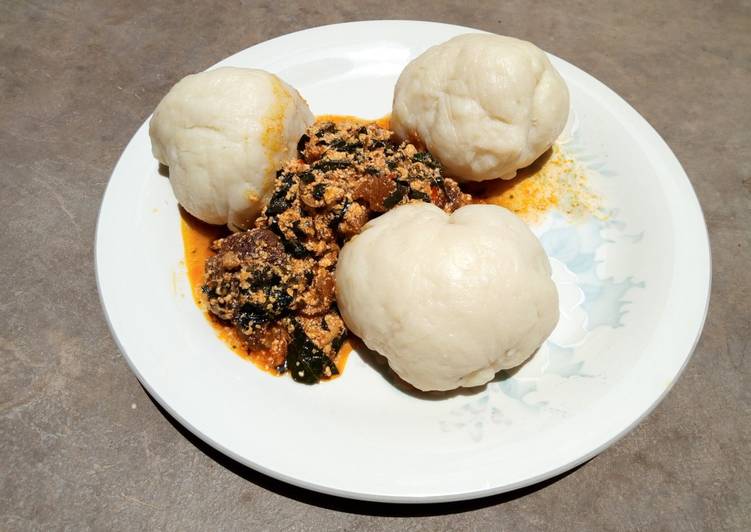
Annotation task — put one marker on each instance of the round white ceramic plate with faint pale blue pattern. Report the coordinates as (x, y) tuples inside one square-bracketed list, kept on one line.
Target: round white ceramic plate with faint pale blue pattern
[(633, 284)]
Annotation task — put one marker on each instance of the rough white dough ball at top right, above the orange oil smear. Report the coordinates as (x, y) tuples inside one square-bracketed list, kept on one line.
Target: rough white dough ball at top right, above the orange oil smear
[(485, 105)]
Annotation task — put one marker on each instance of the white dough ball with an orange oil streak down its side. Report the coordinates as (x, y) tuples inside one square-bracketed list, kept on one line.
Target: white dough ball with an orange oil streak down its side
[(224, 134)]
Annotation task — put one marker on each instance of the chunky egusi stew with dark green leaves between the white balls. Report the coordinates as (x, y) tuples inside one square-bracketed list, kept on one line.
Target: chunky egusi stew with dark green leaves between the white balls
[(275, 282)]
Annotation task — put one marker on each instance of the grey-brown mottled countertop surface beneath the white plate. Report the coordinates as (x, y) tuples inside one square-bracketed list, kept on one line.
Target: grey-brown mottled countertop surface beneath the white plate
[(83, 447)]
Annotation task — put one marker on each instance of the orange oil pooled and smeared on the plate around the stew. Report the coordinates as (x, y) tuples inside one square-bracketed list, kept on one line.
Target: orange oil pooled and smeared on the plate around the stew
[(552, 181)]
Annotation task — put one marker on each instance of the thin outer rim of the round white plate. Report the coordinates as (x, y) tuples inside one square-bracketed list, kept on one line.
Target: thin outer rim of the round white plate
[(479, 493)]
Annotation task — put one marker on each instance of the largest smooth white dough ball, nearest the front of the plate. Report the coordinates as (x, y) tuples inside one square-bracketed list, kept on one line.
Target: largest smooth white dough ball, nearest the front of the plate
[(448, 299)]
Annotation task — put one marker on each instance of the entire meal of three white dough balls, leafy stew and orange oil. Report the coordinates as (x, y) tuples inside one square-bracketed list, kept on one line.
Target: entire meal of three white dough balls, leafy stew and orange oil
[(448, 299)]
